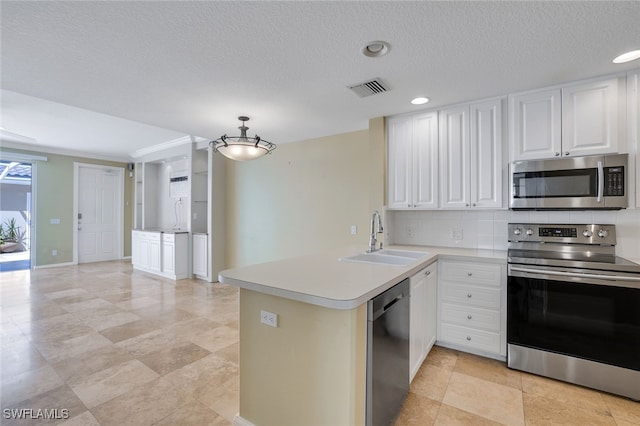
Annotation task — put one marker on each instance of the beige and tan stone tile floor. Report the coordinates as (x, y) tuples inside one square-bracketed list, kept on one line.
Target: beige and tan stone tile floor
[(117, 347)]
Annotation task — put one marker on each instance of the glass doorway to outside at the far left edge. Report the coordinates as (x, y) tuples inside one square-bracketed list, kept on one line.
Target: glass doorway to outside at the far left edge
[(16, 215)]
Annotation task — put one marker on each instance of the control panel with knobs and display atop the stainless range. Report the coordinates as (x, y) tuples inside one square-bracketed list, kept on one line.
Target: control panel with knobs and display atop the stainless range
[(573, 233)]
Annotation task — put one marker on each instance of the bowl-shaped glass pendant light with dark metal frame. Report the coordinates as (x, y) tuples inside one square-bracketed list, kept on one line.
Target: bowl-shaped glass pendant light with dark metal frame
[(242, 148)]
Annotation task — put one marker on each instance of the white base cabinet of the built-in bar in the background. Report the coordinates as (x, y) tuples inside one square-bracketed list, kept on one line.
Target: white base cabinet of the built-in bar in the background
[(160, 254)]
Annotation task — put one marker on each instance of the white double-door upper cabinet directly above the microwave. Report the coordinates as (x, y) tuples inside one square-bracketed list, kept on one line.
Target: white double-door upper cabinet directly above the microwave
[(575, 120)]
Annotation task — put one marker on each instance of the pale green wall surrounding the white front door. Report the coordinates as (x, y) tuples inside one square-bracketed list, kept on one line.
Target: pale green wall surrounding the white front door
[(54, 199)]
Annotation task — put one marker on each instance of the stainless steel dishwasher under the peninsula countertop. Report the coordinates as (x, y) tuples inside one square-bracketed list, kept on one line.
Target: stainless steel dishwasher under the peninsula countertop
[(387, 354)]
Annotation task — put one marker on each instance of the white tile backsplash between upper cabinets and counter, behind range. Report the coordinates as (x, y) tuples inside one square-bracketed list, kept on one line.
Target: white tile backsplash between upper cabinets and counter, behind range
[(487, 229)]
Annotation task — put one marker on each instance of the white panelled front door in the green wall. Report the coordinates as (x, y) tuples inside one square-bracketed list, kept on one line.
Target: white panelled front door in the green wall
[(99, 200)]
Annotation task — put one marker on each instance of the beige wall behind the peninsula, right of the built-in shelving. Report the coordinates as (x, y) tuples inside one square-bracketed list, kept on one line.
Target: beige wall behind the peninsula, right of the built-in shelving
[(305, 196)]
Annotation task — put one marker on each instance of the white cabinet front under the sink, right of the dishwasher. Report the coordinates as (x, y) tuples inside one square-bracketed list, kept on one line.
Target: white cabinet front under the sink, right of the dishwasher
[(423, 317)]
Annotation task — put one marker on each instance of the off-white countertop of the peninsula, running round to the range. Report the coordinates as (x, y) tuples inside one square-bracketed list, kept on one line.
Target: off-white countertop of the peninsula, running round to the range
[(322, 279)]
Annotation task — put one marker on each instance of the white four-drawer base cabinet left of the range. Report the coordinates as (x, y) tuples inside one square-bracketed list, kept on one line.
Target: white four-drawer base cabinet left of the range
[(471, 307)]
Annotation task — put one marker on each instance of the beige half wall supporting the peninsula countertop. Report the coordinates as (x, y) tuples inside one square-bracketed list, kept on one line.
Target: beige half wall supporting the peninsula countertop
[(310, 370)]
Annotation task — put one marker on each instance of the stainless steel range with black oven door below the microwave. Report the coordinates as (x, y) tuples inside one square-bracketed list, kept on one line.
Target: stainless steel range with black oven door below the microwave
[(573, 307)]
